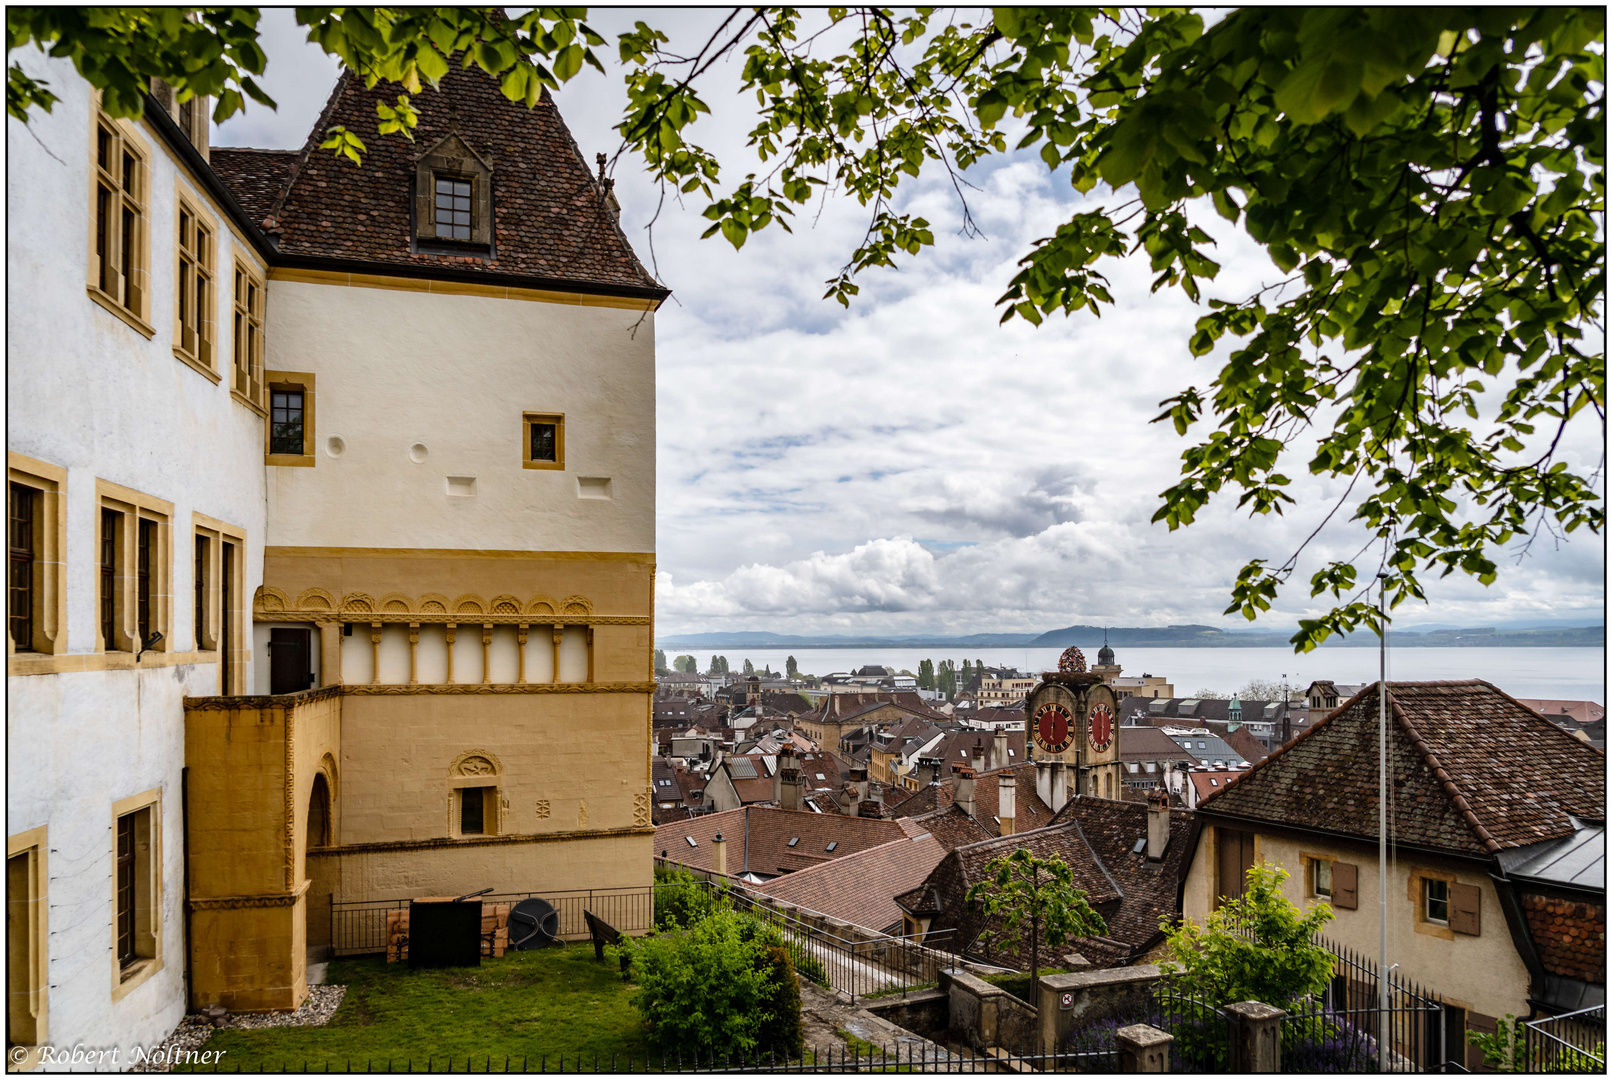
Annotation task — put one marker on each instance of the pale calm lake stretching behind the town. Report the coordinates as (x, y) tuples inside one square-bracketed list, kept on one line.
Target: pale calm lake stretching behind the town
[(1576, 675)]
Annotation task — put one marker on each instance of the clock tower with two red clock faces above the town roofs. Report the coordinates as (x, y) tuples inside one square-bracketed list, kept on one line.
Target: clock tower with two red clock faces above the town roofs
[(1073, 726)]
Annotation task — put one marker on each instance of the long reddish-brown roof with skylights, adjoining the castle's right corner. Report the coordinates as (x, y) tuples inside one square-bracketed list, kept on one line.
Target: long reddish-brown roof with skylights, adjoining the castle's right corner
[(768, 831)]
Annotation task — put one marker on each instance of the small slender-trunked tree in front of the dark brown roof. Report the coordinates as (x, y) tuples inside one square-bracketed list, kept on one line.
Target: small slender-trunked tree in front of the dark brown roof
[(1042, 892)]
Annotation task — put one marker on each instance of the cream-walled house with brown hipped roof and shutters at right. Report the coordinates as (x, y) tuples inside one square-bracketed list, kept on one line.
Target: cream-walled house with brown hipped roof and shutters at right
[(1497, 876)]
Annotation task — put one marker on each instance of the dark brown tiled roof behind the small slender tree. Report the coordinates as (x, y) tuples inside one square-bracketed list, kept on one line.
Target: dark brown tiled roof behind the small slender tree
[(1129, 858)]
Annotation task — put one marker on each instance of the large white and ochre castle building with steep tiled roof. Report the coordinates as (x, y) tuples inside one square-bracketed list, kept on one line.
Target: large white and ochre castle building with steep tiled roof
[(362, 457)]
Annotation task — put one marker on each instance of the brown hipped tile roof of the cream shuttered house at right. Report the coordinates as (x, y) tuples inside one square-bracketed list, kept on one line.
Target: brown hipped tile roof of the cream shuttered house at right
[(1473, 771)]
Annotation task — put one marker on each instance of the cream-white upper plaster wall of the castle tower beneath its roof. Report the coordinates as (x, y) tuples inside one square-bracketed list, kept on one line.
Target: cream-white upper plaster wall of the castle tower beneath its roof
[(455, 373)]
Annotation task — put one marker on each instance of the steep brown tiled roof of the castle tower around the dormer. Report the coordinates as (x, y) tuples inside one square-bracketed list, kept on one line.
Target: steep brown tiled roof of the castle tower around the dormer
[(550, 218)]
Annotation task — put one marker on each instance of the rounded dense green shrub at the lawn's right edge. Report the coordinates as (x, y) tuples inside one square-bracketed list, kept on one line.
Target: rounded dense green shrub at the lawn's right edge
[(707, 989)]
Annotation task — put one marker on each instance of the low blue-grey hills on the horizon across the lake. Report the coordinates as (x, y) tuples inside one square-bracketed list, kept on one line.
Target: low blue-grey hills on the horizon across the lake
[(1190, 636)]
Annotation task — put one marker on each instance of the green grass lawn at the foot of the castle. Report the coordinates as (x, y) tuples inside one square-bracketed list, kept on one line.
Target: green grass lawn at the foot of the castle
[(525, 1007)]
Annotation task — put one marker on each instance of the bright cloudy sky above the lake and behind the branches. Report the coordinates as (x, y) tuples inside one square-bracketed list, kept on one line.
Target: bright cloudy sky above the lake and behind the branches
[(910, 467)]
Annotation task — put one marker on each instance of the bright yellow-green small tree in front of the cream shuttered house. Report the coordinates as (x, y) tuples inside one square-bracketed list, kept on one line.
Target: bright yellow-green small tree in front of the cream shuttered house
[(1257, 947)]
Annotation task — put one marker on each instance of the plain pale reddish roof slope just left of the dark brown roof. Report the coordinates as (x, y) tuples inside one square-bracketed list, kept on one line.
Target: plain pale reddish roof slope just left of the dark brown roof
[(862, 889)]
